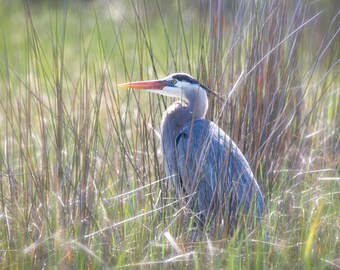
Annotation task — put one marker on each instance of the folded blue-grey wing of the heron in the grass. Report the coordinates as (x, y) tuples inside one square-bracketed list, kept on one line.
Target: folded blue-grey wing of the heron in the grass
[(213, 170)]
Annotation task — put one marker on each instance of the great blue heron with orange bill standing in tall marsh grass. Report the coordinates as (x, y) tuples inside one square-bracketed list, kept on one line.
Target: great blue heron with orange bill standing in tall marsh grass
[(207, 166)]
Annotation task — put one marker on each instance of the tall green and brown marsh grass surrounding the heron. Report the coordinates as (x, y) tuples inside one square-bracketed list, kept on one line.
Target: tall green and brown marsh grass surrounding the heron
[(81, 180)]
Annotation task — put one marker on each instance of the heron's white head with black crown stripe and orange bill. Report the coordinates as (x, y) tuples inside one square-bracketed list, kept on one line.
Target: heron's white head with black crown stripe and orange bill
[(178, 85)]
